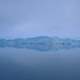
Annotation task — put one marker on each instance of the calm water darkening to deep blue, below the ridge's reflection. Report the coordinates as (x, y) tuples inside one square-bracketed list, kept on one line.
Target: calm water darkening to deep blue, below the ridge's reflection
[(24, 64)]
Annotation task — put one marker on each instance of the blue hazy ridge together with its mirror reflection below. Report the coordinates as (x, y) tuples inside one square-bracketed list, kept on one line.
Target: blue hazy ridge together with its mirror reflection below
[(41, 43)]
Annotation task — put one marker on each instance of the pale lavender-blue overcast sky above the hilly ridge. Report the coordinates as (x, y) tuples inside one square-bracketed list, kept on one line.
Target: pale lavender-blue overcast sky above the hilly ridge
[(26, 18)]
